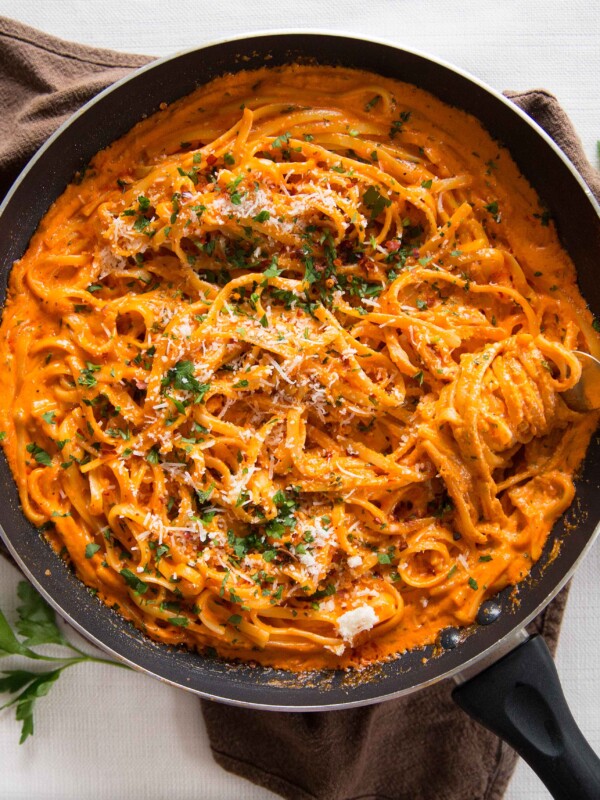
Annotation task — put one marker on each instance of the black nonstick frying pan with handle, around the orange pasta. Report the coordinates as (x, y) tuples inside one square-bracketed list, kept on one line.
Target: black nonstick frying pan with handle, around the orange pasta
[(507, 681)]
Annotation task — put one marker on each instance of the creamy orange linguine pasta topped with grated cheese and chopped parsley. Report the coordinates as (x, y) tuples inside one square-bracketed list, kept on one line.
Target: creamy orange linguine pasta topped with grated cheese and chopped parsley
[(282, 370)]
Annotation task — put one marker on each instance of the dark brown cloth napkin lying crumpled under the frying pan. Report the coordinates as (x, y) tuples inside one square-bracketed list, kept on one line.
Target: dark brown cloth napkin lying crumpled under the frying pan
[(421, 747)]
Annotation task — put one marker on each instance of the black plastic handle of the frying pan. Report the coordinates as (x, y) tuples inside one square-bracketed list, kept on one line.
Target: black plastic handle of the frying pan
[(521, 700)]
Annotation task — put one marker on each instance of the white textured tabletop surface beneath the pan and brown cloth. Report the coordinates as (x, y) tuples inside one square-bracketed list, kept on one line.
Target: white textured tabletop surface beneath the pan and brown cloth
[(108, 734)]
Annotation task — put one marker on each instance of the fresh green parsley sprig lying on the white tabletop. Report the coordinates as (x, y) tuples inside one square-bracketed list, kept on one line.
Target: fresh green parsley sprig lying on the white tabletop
[(36, 625)]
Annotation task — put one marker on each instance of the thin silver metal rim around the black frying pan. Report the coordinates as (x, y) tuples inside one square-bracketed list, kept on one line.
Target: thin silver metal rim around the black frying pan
[(499, 643)]
